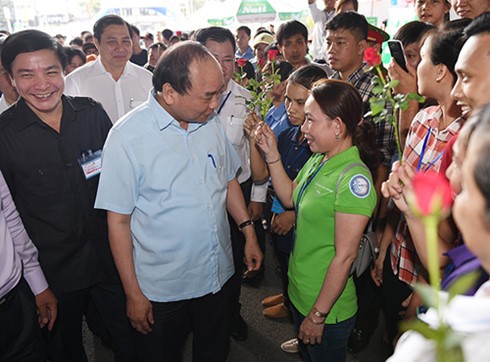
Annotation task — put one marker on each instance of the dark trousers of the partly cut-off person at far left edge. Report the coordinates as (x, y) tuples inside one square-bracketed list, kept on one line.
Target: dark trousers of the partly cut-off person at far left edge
[(20, 335)]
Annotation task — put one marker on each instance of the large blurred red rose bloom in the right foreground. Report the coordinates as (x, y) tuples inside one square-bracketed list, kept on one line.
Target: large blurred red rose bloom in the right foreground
[(432, 193)]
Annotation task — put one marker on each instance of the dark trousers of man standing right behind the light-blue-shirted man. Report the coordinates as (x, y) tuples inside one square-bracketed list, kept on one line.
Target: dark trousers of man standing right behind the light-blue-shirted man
[(238, 244)]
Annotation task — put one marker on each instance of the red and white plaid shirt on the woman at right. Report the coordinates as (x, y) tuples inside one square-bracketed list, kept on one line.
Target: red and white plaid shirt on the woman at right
[(404, 259)]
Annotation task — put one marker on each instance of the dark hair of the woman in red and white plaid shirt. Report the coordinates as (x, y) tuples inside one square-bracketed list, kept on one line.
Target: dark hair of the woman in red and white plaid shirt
[(446, 43)]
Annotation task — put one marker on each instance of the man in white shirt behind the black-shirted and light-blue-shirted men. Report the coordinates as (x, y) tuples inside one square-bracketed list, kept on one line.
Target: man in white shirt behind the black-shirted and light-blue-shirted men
[(112, 79)]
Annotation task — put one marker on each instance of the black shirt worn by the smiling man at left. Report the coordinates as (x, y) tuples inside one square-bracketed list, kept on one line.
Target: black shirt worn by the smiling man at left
[(53, 197)]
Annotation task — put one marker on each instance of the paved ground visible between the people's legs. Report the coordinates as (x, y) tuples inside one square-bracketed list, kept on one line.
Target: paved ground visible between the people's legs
[(265, 336)]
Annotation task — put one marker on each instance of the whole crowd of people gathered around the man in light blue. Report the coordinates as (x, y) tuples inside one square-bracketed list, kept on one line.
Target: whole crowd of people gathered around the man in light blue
[(139, 188)]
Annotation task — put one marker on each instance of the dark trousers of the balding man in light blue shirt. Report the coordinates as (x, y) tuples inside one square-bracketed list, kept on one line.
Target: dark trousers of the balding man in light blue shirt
[(205, 317)]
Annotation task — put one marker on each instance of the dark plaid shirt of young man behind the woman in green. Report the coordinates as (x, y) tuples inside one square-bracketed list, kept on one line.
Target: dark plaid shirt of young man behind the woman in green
[(385, 135)]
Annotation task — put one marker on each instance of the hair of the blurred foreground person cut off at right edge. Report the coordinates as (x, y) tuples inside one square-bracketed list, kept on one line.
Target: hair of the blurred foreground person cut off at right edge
[(481, 171)]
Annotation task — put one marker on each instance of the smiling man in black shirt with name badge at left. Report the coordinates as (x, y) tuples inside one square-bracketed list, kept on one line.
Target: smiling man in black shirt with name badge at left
[(50, 148)]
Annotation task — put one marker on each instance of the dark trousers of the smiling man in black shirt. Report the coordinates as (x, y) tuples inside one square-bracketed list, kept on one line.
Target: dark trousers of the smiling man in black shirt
[(65, 340)]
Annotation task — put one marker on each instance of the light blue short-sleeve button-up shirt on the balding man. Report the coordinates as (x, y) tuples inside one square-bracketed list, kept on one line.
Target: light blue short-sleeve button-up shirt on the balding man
[(173, 182)]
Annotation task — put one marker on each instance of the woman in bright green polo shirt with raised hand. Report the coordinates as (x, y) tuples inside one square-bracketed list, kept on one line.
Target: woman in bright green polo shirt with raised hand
[(334, 198)]
